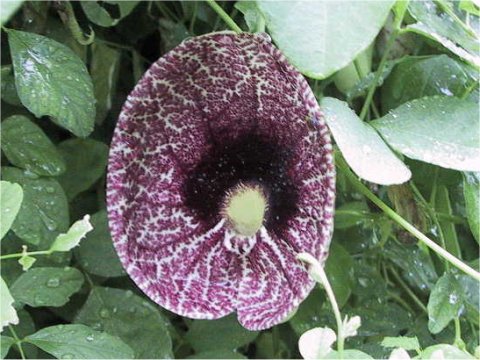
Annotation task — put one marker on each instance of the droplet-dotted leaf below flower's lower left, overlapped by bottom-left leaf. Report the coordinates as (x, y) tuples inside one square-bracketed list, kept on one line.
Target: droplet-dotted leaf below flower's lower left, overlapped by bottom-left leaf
[(131, 318)]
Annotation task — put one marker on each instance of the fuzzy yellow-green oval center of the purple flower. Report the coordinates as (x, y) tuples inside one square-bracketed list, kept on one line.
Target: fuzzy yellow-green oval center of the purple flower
[(244, 208)]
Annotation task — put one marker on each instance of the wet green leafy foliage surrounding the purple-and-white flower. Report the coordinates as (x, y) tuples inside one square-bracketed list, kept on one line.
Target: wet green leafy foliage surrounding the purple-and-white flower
[(398, 83)]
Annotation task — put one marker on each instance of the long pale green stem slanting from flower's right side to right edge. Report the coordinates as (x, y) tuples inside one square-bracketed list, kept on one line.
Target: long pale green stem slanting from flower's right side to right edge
[(404, 223)]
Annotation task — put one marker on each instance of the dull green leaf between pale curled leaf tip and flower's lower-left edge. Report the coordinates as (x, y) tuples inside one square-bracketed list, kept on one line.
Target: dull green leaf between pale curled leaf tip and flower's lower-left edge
[(96, 253)]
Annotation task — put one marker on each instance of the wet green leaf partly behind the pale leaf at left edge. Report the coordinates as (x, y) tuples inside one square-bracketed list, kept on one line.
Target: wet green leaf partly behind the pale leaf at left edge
[(44, 211)]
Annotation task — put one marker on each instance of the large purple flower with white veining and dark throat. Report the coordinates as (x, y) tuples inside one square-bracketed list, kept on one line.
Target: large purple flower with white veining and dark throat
[(220, 172)]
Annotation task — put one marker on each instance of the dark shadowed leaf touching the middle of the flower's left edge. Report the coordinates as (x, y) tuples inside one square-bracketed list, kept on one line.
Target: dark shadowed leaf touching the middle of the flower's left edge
[(86, 162)]
